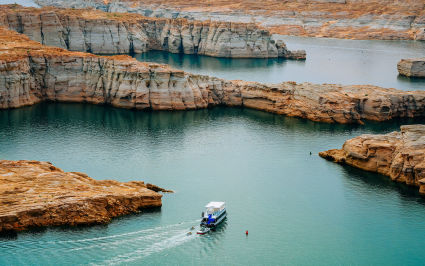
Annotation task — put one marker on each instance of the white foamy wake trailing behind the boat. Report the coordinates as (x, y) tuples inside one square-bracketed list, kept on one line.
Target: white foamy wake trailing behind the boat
[(114, 249)]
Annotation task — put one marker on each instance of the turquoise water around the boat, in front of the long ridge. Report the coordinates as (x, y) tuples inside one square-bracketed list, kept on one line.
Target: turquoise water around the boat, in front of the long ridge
[(298, 208)]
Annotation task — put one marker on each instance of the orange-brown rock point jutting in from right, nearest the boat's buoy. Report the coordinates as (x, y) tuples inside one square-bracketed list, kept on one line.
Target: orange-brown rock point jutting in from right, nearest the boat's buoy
[(399, 155)]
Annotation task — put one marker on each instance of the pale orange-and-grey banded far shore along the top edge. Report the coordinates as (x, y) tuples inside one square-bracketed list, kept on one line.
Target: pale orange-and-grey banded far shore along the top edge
[(354, 19)]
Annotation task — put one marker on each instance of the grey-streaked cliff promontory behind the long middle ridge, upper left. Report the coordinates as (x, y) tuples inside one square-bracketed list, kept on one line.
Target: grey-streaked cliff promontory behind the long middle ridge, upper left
[(111, 33)]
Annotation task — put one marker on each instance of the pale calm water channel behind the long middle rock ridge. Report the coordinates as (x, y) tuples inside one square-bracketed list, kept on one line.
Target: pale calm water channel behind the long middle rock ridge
[(328, 61)]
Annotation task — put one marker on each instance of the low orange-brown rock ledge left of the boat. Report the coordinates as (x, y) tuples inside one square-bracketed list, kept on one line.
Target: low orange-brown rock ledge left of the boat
[(34, 194)]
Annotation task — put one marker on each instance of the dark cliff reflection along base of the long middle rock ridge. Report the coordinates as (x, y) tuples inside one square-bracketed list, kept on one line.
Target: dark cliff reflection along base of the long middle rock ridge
[(130, 121)]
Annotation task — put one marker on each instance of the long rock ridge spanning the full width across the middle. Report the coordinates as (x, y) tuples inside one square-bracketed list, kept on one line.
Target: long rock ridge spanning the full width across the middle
[(31, 72)]
